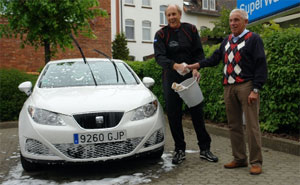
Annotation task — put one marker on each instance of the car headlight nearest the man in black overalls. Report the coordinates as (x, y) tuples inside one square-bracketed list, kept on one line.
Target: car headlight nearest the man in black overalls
[(145, 111)]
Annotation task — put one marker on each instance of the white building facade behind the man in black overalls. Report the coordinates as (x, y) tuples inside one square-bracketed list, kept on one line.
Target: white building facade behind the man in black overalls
[(137, 48)]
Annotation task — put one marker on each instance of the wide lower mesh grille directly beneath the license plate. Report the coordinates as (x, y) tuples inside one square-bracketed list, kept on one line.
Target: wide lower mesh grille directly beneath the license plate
[(87, 151)]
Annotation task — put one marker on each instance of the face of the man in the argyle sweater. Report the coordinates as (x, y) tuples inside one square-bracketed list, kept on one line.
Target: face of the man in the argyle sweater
[(237, 23)]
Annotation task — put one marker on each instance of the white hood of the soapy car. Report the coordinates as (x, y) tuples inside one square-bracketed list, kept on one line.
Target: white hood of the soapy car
[(74, 100)]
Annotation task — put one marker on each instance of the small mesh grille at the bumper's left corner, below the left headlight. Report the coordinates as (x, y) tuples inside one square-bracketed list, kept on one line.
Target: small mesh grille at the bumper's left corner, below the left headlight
[(35, 147)]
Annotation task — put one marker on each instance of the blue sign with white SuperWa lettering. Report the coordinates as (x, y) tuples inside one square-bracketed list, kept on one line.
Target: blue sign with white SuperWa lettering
[(258, 9)]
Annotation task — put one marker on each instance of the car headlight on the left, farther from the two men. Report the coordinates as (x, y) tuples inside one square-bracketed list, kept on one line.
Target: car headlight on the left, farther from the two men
[(45, 117)]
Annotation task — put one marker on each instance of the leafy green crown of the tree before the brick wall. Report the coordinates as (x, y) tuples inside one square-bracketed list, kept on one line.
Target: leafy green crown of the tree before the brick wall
[(48, 23)]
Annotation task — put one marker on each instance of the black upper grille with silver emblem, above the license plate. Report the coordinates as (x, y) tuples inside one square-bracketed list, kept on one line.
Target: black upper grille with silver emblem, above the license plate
[(98, 120)]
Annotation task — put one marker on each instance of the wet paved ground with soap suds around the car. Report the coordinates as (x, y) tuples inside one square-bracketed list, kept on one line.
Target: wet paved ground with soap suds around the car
[(279, 168)]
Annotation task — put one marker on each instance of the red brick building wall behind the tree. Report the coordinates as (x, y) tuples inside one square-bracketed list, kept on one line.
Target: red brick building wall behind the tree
[(30, 60)]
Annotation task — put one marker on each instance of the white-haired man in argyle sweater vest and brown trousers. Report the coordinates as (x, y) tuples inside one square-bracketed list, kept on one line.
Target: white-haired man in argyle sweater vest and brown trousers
[(245, 72)]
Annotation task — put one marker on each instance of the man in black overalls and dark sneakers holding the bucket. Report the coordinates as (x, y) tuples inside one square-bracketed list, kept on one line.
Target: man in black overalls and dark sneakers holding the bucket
[(175, 46)]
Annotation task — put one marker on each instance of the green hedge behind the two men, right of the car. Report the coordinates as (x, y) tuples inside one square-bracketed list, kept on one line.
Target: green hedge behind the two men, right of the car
[(279, 107)]
